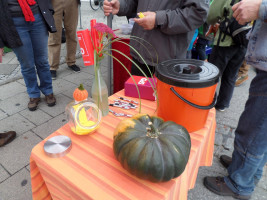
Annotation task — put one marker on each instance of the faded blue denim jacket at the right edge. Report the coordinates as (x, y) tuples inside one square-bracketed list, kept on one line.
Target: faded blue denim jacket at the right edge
[(257, 52)]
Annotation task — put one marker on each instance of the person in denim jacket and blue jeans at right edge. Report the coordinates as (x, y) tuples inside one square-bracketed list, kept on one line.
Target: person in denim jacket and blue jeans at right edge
[(245, 167)]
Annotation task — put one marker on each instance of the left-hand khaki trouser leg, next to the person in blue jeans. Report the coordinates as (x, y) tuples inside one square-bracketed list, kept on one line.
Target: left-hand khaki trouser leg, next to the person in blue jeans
[(54, 41)]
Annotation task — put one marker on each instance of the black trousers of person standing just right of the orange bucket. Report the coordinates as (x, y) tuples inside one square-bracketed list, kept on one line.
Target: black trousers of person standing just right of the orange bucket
[(228, 60)]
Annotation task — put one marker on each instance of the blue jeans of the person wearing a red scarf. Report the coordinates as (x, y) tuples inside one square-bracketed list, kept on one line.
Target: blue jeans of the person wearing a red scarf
[(33, 55)]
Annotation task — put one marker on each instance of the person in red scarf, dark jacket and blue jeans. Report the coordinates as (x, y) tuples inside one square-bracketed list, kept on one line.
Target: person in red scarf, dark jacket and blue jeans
[(24, 27)]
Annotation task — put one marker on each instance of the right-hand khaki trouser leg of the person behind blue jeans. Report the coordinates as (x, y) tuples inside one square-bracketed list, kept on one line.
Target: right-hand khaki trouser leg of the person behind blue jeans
[(70, 25)]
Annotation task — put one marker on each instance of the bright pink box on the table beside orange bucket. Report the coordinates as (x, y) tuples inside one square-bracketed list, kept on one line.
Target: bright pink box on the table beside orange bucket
[(145, 89)]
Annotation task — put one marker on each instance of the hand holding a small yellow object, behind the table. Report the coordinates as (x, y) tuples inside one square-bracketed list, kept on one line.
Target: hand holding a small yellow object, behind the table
[(148, 21)]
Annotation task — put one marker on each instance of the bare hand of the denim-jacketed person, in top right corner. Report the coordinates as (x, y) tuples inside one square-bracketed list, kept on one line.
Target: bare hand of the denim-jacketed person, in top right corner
[(246, 10)]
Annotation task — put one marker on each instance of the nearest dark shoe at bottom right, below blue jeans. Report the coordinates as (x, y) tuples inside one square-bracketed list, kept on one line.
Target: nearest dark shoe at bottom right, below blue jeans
[(218, 186)]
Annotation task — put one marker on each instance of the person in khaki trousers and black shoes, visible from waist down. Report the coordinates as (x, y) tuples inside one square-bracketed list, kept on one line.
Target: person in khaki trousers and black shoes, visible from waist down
[(66, 13)]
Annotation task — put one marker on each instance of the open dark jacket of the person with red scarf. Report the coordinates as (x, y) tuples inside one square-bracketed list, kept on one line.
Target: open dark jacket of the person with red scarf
[(9, 36)]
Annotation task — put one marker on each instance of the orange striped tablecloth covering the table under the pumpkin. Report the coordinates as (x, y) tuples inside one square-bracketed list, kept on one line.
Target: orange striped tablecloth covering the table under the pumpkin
[(90, 170)]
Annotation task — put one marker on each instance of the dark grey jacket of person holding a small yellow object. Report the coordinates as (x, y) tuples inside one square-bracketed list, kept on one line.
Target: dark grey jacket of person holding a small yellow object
[(176, 22)]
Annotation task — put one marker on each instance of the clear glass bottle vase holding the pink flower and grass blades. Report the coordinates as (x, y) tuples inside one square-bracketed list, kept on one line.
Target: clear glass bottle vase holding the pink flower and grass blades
[(99, 89)]
